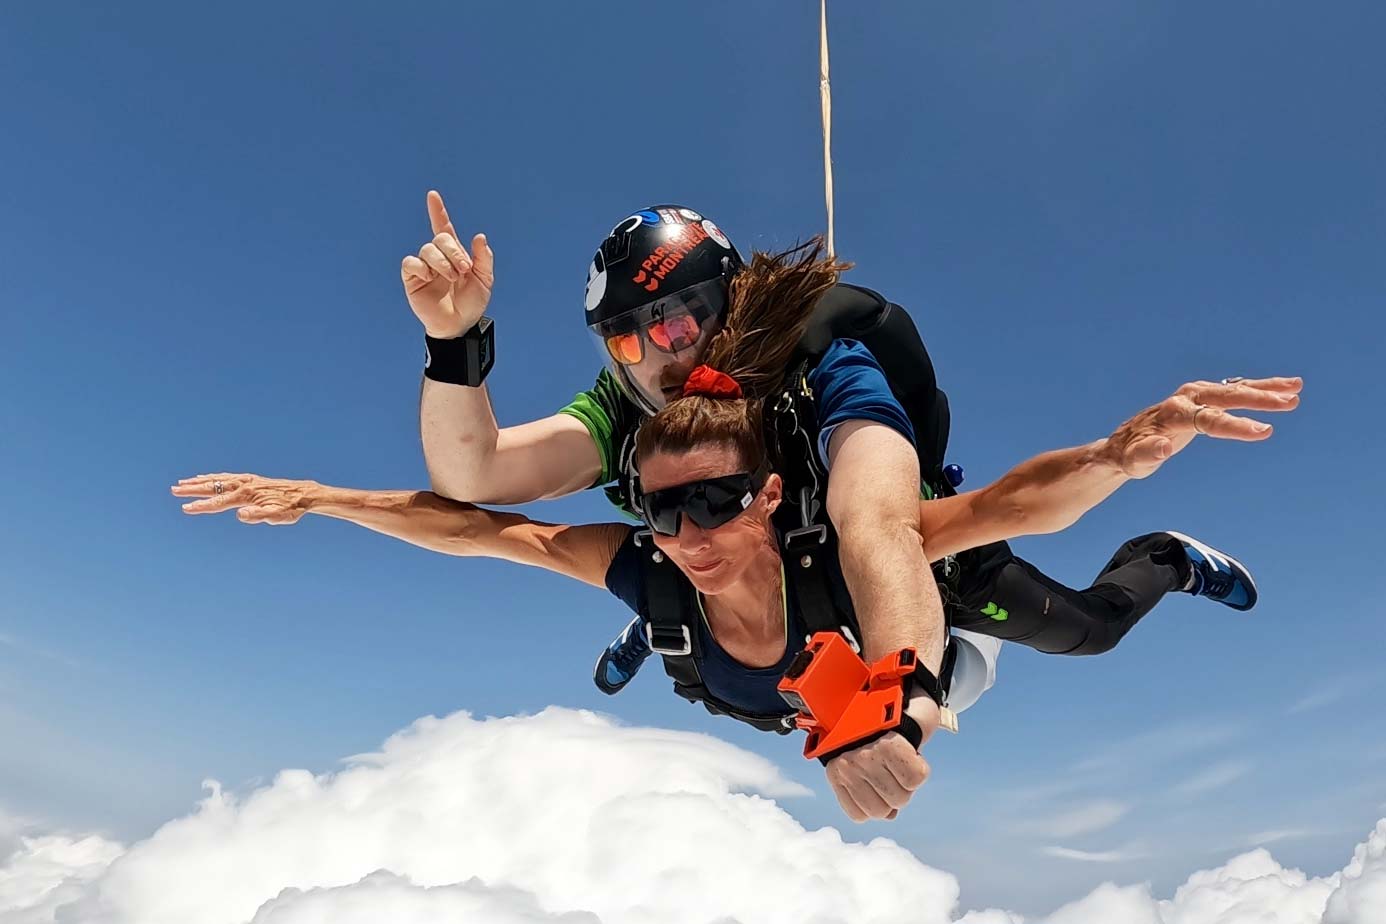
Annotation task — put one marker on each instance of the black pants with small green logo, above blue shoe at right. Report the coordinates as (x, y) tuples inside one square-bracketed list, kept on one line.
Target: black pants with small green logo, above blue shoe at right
[(1003, 596)]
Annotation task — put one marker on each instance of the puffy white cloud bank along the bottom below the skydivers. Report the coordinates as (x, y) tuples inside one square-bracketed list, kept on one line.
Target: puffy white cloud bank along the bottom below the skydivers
[(570, 819)]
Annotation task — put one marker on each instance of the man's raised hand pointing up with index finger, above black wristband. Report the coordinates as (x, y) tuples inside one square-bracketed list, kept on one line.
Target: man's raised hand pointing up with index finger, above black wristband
[(447, 287)]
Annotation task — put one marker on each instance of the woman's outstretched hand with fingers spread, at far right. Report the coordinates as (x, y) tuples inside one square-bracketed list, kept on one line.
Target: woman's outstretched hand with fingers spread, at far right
[(1146, 443)]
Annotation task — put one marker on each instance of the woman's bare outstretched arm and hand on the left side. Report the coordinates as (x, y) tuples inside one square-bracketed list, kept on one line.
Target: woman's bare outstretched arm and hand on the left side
[(418, 517)]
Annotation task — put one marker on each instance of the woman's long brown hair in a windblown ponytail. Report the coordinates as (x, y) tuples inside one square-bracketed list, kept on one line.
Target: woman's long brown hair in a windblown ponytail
[(770, 307)]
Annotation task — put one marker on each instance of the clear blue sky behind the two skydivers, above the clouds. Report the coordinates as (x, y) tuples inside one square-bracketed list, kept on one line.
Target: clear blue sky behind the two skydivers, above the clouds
[(1082, 206)]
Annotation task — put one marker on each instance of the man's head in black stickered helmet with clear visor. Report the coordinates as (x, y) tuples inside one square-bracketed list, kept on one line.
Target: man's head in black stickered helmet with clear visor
[(656, 296)]
